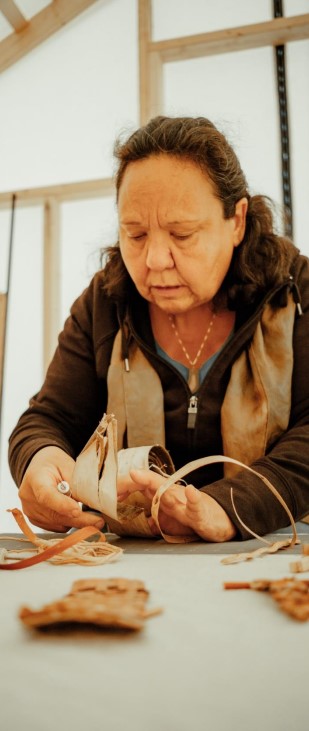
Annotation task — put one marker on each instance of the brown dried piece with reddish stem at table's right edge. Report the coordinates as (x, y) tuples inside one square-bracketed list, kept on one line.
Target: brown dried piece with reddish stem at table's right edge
[(291, 595)]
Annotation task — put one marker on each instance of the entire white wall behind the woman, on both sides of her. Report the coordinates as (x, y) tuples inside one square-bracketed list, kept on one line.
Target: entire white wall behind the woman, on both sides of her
[(61, 109)]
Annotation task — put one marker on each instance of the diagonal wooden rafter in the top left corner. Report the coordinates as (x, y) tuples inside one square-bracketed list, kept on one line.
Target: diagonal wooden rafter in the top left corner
[(39, 28)]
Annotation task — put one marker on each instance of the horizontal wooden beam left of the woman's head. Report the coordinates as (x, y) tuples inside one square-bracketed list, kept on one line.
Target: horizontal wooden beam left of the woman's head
[(61, 193)]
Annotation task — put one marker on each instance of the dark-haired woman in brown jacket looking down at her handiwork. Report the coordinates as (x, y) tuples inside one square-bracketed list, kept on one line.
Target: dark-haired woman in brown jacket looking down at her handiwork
[(197, 304)]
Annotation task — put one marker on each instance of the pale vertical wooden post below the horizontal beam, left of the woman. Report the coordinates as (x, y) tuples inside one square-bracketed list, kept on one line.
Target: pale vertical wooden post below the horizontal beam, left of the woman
[(51, 279)]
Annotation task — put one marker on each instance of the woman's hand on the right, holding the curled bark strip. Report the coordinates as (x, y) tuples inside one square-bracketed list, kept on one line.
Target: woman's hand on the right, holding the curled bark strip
[(183, 510)]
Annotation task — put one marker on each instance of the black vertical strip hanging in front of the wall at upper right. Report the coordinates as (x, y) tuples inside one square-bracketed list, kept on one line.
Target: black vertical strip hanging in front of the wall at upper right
[(284, 128)]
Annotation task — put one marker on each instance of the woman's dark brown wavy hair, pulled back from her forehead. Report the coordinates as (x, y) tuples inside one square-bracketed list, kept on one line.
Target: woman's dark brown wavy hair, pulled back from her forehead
[(264, 258)]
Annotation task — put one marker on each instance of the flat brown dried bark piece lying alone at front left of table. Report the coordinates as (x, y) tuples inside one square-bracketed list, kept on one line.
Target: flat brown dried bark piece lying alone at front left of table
[(109, 603)]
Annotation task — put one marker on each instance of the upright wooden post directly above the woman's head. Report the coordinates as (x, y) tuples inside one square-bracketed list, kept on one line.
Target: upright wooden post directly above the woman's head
[(150, 67)]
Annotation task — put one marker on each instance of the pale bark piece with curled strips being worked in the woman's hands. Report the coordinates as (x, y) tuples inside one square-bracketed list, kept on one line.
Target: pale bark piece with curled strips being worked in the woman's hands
[(94, 482)]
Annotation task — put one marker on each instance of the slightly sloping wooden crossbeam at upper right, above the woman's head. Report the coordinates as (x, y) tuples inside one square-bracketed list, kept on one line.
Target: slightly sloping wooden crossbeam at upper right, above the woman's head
[(271, 33)]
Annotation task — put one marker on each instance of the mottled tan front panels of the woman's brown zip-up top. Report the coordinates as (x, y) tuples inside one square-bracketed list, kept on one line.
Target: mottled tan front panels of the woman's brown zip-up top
[(256, 407)]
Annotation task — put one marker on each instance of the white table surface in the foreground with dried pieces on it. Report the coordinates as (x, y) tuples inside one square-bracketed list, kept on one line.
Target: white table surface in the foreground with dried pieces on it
[(213, 660)]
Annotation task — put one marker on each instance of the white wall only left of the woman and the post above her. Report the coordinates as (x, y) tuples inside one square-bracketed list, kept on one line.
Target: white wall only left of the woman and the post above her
[(61, 108)]
